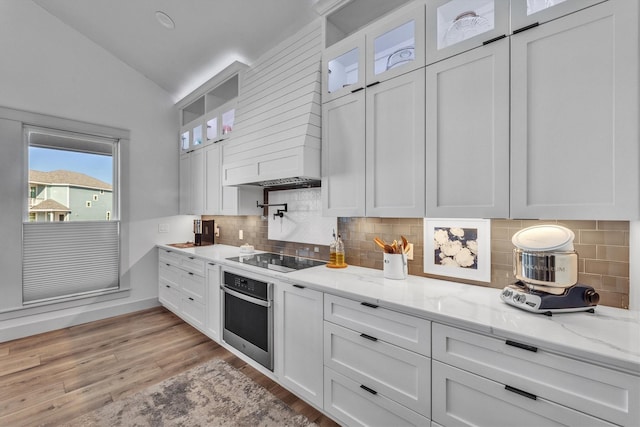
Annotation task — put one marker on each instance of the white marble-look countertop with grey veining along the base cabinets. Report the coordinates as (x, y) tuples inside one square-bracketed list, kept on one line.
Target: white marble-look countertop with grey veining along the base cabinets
[(610, 336)]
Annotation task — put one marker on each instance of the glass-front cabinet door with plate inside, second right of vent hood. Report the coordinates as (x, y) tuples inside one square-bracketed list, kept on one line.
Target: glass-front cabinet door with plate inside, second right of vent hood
[(395, 45)]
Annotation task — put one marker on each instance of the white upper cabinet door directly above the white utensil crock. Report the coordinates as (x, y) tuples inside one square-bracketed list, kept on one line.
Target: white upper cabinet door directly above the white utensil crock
[(395, 147)]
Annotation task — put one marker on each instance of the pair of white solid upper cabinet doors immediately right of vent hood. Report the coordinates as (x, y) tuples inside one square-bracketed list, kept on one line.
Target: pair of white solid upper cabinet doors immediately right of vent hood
[(389, 182)]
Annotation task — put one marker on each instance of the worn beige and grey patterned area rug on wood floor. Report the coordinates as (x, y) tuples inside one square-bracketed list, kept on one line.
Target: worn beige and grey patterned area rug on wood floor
[(212, 394)]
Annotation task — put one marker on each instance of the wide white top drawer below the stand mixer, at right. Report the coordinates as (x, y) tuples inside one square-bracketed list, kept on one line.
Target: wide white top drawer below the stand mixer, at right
[(601, 392)]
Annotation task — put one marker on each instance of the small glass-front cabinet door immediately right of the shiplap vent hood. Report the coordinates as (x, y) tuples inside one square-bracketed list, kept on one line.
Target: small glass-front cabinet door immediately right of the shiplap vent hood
[(343, 68)]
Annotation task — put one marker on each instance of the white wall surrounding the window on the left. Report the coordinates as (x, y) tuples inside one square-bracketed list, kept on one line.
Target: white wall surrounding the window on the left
[(49, 68)]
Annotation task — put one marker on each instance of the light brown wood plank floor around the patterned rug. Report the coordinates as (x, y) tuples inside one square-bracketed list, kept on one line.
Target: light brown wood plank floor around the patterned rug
[(51, 378)]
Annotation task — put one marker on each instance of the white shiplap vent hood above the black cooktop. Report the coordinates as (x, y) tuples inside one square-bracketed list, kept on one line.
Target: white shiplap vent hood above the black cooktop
[(277, 132)]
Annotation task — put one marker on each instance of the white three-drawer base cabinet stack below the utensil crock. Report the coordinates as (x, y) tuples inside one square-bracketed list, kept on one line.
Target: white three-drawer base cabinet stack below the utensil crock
[(377, 365)]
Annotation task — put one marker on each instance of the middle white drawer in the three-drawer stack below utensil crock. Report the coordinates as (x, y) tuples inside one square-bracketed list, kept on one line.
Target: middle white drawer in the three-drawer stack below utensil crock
[(391, 371)]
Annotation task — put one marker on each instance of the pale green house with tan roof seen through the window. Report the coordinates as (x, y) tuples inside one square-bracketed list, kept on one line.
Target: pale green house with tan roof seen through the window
[(68, 196)]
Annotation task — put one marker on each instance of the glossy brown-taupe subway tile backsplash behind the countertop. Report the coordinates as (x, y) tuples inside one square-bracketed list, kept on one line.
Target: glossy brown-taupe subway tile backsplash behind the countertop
[(602, 246)]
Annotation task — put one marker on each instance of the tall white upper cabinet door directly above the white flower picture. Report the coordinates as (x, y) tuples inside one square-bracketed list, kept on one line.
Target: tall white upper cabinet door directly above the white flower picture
[(467, 134)]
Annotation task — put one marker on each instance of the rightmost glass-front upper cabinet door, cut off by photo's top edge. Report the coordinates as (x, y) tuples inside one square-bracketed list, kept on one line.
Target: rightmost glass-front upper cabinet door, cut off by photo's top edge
[(527, 13)]
